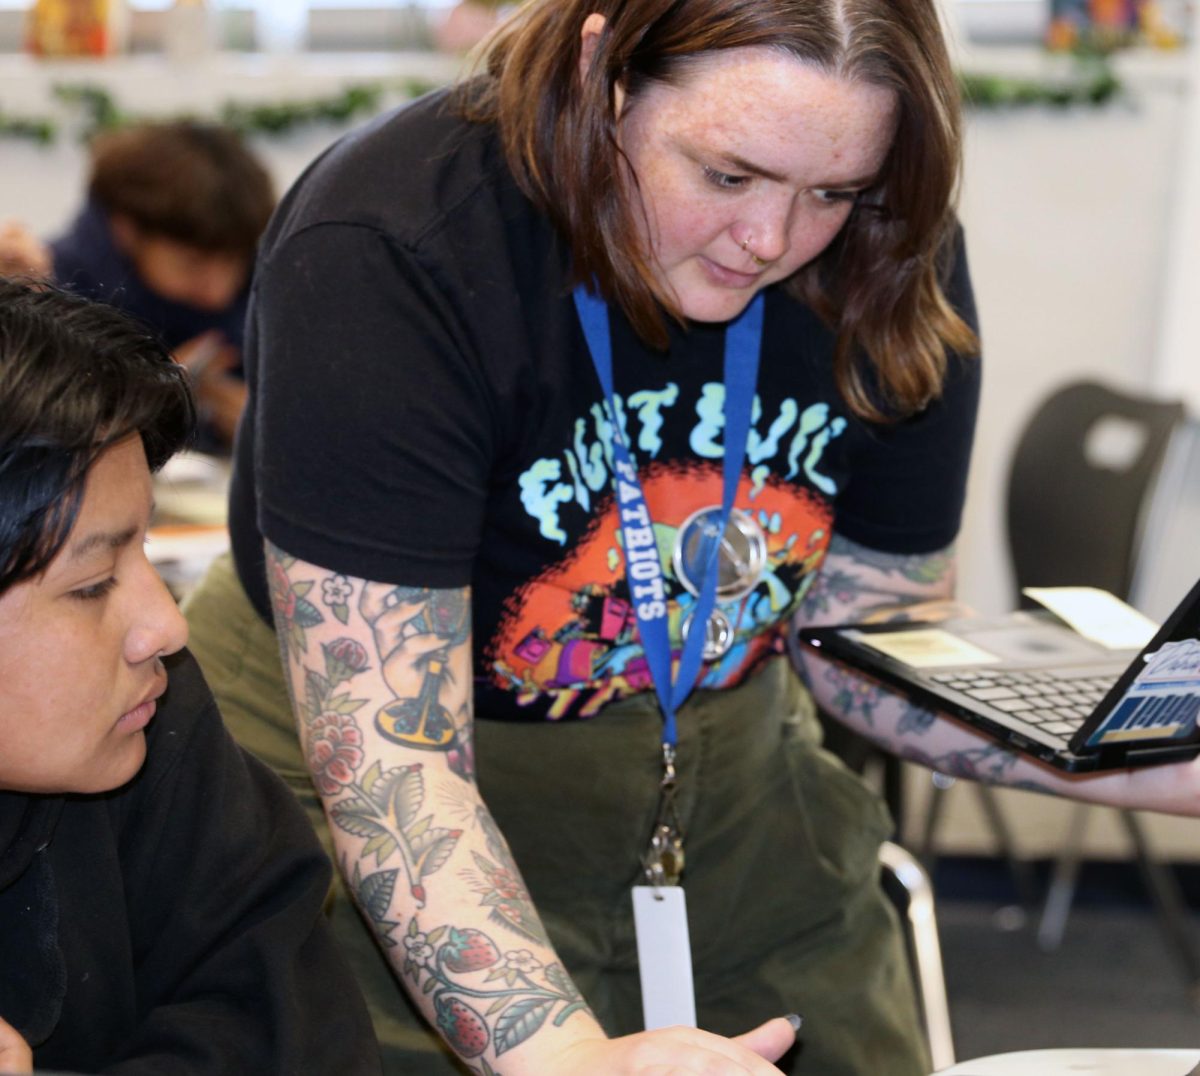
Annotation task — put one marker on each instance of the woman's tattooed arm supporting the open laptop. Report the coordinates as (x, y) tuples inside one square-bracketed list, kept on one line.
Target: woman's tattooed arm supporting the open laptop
[(857, 584)]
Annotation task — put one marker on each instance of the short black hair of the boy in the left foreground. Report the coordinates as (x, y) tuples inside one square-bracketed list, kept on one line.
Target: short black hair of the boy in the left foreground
[(76, 377)]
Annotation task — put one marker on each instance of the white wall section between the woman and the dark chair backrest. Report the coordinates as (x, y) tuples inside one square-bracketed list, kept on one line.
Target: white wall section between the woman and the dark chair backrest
[(1067, 215)]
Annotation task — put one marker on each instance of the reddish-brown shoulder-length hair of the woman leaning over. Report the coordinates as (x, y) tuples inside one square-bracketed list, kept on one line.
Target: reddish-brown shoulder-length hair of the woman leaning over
[(878, 285)]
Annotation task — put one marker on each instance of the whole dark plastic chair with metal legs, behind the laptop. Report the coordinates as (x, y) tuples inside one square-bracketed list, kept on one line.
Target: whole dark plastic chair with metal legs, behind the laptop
[(1079, 492)]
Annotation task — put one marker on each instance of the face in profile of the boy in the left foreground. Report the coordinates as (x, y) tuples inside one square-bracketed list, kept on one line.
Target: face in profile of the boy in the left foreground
[(81, 646)]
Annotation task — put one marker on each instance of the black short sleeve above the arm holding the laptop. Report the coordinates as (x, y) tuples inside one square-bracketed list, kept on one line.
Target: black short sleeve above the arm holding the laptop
[(910, 478)]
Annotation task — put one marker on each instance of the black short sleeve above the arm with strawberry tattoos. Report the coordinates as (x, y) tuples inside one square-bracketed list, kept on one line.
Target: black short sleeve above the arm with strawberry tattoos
[(374, 425)]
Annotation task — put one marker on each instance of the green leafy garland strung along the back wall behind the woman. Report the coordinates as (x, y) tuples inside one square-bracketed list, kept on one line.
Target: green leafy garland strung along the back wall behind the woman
[(1095, 85)]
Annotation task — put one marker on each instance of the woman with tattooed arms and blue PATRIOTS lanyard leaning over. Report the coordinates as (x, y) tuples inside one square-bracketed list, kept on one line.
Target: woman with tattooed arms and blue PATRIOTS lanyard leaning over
[(433, 467)]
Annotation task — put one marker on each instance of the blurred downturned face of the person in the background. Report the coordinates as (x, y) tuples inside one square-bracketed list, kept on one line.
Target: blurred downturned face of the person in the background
[(184, 274)]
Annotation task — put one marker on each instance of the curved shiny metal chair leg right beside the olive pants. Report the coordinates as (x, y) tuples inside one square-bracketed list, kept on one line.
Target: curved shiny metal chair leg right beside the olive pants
[(927, 951)]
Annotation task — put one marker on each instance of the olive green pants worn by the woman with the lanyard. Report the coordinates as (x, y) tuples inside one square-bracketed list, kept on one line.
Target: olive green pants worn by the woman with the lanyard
[(784, 904)]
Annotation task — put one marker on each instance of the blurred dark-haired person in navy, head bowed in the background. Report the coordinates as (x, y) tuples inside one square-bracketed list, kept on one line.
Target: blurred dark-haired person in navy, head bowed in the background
[(169, 233)]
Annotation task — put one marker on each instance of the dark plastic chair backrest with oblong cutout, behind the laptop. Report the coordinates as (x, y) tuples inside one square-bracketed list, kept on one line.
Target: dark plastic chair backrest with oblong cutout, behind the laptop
[(1079, 484)]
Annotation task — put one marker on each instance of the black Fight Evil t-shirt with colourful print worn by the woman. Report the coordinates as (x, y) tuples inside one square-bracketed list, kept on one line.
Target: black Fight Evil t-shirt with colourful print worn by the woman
[(425, 413)]
